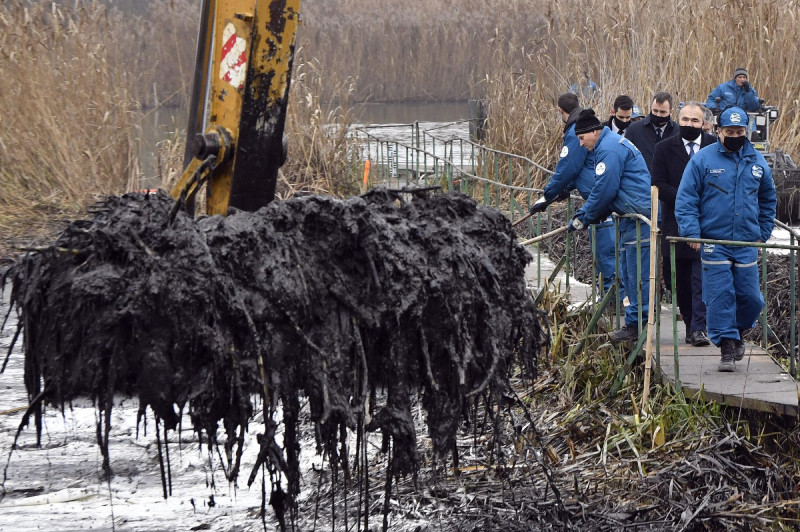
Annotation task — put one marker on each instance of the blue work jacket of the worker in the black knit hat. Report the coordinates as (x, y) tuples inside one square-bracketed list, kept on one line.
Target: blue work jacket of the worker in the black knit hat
[(621, 180)]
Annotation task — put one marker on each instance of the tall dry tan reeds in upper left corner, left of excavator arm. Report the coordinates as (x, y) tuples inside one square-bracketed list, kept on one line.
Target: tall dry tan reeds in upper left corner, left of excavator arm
[(66, 115)]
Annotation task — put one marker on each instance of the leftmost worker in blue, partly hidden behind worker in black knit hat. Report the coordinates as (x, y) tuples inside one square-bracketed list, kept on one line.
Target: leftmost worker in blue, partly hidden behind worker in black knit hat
[(575, 169)]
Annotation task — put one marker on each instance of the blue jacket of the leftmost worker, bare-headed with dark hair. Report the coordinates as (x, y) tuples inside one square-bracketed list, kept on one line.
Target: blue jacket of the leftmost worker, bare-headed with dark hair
[(574, 169)]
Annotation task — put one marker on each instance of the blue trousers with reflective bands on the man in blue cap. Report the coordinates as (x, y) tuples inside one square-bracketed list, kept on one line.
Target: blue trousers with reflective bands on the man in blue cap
[(730, 290)]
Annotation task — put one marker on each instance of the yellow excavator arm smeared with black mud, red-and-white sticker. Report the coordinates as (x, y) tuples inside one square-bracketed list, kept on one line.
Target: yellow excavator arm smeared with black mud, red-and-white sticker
[(245, 50)]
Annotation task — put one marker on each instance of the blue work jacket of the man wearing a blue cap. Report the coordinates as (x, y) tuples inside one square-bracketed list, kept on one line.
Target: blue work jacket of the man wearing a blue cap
[(726, 196)]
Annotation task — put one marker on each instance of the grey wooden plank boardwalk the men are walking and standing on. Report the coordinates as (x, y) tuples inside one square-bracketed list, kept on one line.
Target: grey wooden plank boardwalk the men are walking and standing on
[(759, 382)]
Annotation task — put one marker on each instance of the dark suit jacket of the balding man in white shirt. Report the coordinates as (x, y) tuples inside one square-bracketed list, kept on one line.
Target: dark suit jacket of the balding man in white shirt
[(669, 161)]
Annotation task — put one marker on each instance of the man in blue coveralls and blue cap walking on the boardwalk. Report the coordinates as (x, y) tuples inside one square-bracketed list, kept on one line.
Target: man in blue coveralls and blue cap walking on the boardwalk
[(727, 193)]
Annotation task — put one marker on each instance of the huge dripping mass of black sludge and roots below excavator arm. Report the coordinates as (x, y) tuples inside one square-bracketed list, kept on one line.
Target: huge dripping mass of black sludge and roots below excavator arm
[(327, 299)]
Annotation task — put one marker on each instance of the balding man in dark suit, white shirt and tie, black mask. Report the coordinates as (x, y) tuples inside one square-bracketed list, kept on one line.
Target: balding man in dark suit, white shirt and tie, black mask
[(669, 160)]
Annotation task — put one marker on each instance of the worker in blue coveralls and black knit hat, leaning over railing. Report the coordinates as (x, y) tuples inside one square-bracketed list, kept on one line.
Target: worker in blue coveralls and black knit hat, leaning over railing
[(621, 185)]
